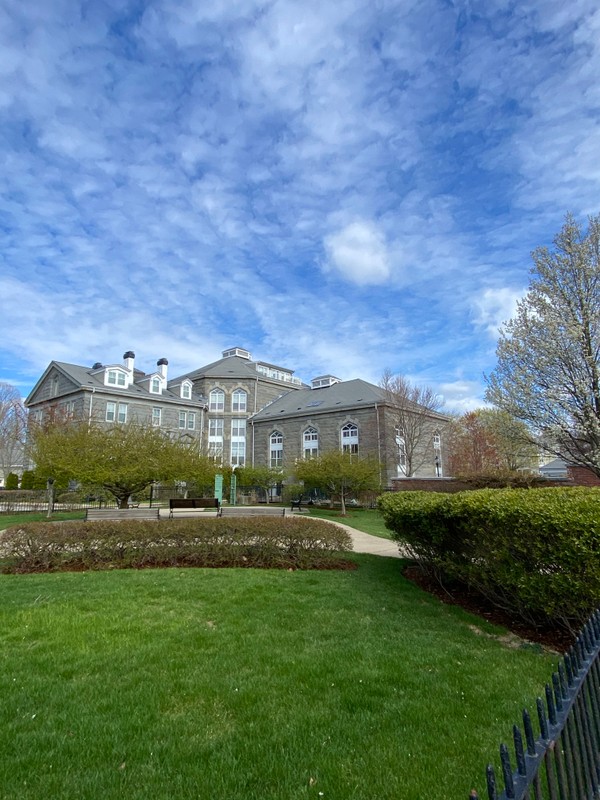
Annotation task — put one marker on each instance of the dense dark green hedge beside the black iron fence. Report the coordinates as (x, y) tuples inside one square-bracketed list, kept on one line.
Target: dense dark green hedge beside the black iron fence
[(533, 553)]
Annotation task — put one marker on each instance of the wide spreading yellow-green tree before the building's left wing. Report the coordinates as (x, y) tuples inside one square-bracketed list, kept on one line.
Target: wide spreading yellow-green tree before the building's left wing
[(123, 459)]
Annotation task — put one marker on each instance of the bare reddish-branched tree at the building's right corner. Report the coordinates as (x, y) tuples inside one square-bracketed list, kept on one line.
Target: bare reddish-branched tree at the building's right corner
[(414, 411)]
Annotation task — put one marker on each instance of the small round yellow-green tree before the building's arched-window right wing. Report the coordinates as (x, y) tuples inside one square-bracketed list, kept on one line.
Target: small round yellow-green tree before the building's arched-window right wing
[(339, 474)]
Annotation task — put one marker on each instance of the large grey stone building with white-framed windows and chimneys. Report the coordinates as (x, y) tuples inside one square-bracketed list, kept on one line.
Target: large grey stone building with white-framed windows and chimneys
[(240, 411)]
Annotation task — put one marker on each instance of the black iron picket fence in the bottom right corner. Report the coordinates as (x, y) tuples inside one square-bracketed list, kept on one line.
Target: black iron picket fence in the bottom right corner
[(563, 762)]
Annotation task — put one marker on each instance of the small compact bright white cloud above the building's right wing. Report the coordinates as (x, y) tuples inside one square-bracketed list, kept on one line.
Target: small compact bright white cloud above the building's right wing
[(358, 252)]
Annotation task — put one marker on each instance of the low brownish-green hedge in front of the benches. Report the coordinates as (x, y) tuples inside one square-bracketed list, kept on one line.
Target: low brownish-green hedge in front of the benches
[(73, 545)]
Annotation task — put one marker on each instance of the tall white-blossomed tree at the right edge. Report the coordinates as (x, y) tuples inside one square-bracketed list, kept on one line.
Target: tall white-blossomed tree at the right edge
[(548, 371)]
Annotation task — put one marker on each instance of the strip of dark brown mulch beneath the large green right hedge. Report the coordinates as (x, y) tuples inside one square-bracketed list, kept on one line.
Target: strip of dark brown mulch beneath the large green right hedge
[(459, 595)]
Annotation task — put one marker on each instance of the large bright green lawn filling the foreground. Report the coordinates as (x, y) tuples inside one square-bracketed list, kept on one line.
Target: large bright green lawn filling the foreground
[(254, 684)]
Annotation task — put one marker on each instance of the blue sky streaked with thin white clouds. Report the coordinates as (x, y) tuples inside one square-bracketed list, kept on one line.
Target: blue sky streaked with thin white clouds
[(338, 187)]
